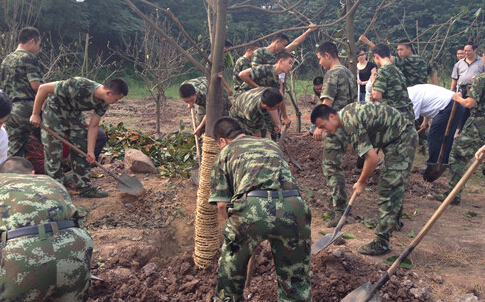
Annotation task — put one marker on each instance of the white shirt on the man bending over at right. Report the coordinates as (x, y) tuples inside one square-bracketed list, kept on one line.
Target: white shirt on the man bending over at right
[(429, 99)]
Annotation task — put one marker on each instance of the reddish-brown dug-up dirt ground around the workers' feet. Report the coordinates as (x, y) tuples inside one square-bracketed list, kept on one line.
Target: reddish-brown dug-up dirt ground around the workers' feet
[(143, 245)]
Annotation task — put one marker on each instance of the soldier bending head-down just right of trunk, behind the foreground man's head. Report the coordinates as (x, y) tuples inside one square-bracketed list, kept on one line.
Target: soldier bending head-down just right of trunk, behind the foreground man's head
[(250, 108)]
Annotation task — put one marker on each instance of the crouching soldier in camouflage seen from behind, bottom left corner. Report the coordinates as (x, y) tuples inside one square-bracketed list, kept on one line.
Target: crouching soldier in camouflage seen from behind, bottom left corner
[(46, 255)]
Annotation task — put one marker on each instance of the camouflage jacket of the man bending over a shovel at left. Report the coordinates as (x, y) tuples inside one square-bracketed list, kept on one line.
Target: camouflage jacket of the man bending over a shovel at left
[(73, 96)]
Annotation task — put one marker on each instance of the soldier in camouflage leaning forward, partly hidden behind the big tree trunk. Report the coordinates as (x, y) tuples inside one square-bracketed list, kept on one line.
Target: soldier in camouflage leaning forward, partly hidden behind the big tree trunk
[(194, 92)]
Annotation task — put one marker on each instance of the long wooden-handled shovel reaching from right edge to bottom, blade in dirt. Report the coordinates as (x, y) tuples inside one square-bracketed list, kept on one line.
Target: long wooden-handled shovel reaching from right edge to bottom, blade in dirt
[(367, 291)]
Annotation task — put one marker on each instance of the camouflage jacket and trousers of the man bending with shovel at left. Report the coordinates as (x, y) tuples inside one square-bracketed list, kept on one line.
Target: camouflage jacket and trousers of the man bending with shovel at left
[(63, 114)]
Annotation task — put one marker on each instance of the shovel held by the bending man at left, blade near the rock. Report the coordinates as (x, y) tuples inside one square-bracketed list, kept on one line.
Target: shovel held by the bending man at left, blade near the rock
[(125, 183)]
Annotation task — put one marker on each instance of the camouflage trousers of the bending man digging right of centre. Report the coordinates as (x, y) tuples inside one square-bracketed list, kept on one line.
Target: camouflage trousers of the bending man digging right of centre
[(399, 157)]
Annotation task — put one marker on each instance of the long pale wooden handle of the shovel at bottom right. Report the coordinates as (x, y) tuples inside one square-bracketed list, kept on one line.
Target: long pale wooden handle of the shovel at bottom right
[(426, 228)]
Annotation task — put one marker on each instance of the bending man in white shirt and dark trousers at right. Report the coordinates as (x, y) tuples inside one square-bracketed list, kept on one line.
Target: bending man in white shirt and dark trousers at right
[(435, 102)]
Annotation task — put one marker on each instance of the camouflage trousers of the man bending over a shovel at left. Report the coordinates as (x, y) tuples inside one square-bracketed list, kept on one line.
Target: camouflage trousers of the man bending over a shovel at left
[(75, 128)]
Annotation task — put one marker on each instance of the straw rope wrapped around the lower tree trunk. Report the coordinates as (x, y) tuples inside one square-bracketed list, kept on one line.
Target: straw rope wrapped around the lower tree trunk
[(206, 224)]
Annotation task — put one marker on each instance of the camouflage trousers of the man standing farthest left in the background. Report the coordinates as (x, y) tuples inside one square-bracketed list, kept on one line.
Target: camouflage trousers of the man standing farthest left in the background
[(19, 128)]
